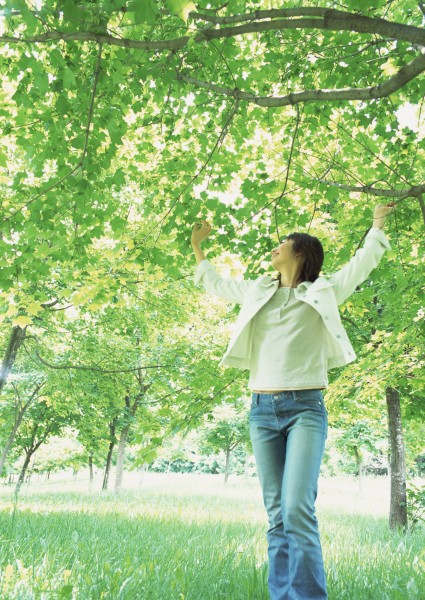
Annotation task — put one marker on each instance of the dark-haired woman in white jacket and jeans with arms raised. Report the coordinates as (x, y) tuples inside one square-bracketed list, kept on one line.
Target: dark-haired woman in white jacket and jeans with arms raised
[(288, 334)]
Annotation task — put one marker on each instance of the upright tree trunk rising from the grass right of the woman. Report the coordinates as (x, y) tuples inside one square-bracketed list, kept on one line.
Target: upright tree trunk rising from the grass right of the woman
[(398, 509)]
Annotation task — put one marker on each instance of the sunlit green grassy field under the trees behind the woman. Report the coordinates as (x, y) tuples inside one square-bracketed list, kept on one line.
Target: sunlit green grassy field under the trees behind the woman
[(184, 537)]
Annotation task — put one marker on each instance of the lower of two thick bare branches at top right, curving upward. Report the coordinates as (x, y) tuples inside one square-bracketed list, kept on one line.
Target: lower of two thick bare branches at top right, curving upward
[(391, 85)]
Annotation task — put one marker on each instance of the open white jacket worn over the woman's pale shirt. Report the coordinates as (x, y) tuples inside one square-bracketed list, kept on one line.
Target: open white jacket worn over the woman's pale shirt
[(324, 295)]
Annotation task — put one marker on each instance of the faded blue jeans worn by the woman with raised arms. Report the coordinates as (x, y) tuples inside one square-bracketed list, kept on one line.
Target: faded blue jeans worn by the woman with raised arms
[(288, 433)]
